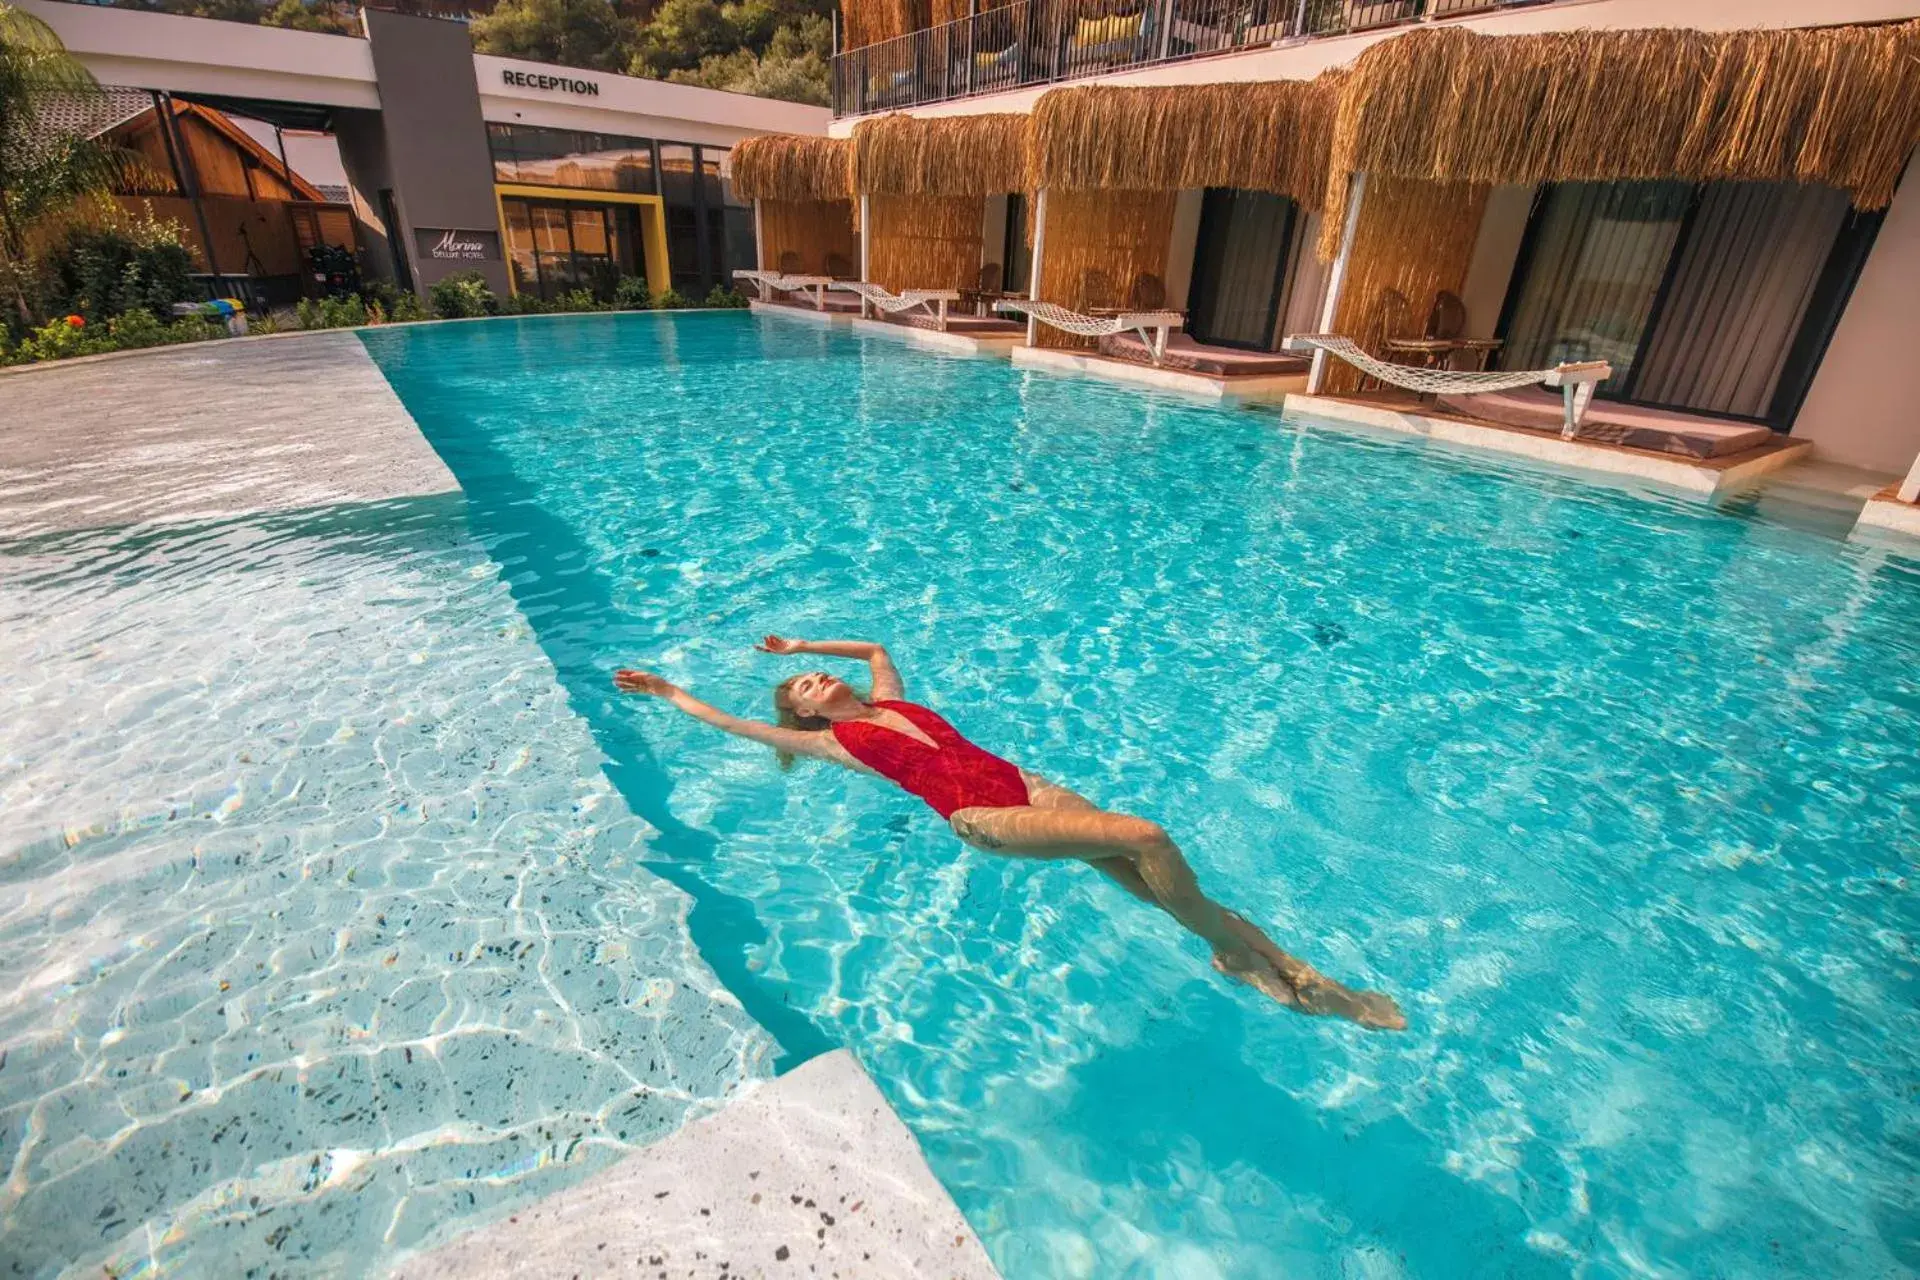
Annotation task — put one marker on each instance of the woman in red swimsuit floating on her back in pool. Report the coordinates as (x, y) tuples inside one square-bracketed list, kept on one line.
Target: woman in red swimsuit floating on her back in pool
[(1003, 809)]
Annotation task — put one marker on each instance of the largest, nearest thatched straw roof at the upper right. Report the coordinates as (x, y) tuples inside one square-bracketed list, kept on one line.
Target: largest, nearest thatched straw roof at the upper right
[(1836, 107)]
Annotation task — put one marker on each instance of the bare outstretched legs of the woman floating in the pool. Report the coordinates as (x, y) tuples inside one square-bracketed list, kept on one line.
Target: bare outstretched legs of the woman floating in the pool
[(1149, 865)]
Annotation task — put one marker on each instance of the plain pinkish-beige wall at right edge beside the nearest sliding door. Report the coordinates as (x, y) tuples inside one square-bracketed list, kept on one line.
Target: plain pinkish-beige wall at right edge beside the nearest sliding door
[(1865, 402)]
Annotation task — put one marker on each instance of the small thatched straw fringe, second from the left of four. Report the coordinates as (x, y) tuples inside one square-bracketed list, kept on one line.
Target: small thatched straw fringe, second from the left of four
[(948, 156)]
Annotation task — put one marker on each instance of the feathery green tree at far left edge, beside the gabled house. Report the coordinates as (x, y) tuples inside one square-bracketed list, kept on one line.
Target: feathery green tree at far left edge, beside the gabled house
[(43, 174)]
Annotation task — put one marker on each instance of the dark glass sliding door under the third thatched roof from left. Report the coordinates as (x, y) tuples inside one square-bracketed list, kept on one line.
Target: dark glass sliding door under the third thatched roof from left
[(1239, 275)]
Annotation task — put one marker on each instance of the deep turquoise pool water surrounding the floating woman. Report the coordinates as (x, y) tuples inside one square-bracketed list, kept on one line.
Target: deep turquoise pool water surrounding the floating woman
[(1620, 795)]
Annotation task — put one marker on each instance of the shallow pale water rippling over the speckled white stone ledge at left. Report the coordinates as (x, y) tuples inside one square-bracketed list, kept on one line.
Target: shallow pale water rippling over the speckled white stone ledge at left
[(322, 930)]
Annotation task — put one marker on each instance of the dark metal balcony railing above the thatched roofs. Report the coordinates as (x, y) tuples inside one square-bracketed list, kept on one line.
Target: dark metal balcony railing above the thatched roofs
[(1047, 41)]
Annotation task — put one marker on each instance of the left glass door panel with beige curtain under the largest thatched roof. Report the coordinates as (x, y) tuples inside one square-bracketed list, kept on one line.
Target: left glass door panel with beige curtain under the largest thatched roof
[(1598, 256)]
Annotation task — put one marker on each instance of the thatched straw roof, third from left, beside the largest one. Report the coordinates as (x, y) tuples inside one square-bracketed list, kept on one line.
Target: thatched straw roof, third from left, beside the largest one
[(1268, 137)]
